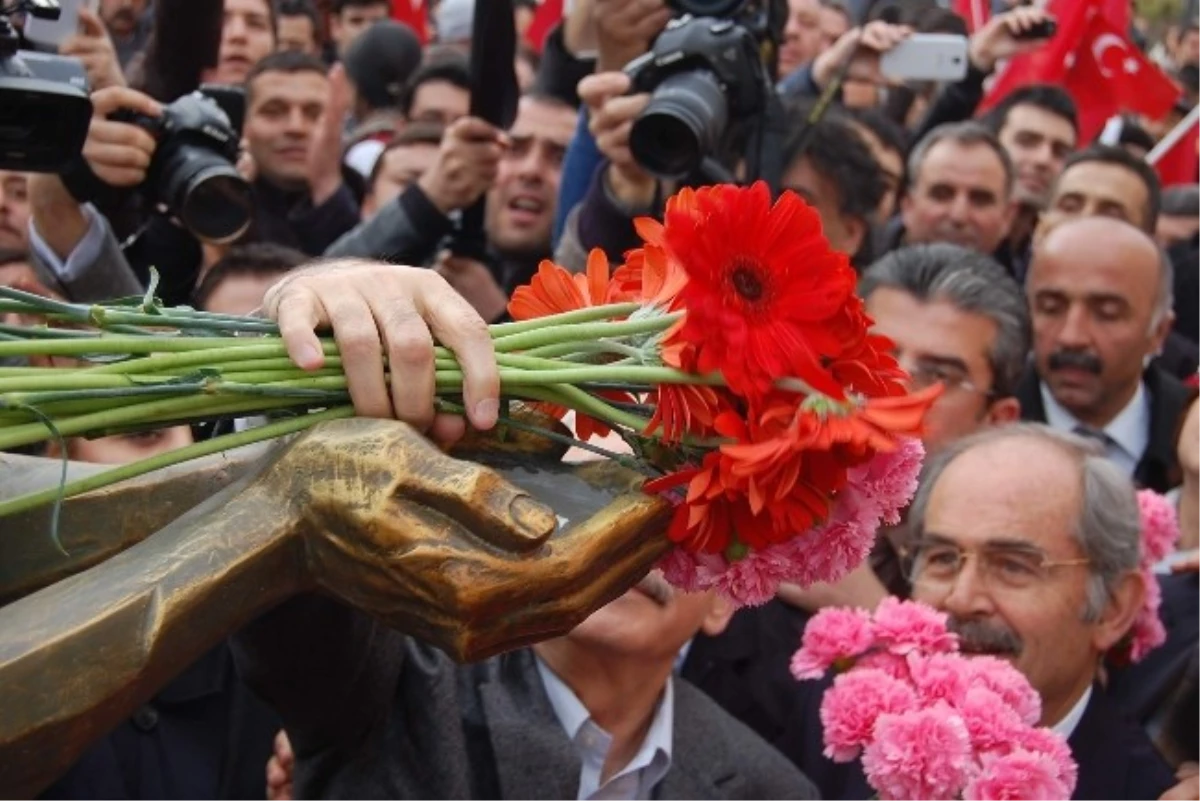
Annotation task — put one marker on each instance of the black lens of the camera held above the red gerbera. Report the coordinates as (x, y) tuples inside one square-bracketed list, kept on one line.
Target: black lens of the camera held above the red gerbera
[(681, 127)]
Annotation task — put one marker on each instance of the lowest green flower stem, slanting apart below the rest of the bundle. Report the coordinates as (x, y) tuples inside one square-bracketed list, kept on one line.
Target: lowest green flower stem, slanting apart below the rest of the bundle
[(271, 431)]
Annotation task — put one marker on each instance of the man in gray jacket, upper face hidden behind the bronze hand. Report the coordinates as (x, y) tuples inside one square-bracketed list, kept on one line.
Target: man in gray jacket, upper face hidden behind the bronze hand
[(373, 714)]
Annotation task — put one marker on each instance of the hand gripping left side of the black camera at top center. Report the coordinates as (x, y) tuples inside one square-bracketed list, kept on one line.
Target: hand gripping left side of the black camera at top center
[(611, 121)]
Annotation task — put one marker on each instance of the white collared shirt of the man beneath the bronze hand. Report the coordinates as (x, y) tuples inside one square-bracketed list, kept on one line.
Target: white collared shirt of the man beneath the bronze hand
[(638, 780)]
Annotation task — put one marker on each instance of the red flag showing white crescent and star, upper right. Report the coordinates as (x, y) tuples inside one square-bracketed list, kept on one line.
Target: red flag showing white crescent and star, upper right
[(1109, 75)]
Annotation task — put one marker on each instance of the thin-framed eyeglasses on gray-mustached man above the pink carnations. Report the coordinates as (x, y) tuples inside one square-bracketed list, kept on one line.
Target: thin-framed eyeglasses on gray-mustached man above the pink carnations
[(937, 565)]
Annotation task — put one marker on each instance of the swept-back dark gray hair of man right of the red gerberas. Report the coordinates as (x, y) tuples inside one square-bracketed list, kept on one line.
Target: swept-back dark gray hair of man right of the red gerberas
[(971, 282)]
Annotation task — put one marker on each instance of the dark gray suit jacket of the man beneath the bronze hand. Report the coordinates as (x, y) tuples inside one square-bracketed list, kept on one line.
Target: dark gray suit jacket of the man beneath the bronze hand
[(376, 715)]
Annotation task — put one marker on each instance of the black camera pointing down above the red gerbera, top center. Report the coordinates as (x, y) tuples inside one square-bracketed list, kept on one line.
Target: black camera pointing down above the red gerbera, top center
[(711, 79)]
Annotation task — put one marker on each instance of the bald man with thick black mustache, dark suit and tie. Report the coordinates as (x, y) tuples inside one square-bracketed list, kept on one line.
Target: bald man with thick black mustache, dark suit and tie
[(1101, 303)]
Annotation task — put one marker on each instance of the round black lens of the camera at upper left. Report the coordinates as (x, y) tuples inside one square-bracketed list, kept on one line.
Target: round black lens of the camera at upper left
[(206, 194)]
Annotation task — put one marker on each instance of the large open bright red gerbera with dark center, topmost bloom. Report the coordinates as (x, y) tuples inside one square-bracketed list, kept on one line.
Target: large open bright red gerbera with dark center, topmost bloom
[(763, 286)]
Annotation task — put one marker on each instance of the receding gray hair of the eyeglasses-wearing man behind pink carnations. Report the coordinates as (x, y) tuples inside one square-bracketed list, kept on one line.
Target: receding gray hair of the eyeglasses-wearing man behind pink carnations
[(1109, 526)]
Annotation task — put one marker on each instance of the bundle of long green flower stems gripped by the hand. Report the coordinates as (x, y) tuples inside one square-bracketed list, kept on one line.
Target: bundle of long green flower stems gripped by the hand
[(137, 366)]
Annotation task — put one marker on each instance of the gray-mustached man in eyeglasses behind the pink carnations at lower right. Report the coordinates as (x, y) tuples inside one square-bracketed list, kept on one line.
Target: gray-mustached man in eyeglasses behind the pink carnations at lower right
[(1029, 540)]
